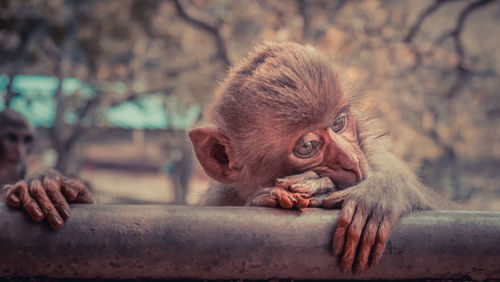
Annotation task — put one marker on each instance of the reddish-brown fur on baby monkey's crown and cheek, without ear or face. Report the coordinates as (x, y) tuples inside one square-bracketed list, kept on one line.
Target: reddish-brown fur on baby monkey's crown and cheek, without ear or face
[(268, 88)]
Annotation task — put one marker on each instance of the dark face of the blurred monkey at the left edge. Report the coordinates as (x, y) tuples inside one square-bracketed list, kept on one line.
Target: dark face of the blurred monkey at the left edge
[(15, 145)]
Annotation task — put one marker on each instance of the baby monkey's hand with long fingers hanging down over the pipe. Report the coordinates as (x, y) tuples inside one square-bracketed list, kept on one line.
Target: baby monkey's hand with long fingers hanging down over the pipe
[(369, 212)]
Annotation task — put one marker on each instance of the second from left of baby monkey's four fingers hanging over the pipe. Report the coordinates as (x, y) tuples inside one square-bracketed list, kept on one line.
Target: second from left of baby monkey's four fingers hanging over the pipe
[(352, 240)]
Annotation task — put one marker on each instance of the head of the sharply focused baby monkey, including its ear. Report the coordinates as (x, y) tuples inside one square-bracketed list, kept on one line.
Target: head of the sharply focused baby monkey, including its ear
[(282, 111)]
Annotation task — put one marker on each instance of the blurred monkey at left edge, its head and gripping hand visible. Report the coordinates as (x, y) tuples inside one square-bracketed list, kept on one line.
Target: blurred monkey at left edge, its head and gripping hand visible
[(45, 195)]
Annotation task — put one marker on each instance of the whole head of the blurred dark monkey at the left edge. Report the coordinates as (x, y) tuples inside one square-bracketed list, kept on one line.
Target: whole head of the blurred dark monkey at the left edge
[(16, 137)]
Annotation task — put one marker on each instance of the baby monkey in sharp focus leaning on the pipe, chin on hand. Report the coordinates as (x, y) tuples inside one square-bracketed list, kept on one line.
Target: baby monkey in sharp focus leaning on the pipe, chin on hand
[(284, 132)]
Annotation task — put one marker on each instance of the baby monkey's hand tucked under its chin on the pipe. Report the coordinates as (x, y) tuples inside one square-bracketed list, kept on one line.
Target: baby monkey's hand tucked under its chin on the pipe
[(309, 183)]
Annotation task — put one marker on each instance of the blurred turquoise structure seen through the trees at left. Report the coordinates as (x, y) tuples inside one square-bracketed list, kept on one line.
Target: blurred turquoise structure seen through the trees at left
[(37, 104)]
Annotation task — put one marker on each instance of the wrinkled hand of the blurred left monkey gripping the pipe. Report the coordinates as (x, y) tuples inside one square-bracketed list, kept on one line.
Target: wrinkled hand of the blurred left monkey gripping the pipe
[(47, 196)]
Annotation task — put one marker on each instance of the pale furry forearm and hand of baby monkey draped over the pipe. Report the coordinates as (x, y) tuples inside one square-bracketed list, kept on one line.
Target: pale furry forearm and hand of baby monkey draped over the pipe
[(372, 208)]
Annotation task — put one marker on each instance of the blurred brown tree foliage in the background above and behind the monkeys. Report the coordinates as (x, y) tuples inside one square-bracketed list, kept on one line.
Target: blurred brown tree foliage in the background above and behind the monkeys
[(430, 68)]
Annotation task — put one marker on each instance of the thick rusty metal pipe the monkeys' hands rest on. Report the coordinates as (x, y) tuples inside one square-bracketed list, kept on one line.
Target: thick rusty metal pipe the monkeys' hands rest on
[(114, 241)]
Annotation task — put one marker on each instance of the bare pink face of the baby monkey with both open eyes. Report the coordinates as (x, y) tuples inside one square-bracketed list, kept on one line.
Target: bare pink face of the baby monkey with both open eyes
[(332, 151)]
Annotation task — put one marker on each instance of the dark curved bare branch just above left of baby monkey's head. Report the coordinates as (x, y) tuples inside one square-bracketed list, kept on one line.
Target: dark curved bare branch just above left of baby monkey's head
[(202, 21)]
